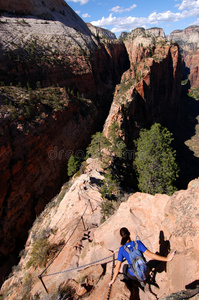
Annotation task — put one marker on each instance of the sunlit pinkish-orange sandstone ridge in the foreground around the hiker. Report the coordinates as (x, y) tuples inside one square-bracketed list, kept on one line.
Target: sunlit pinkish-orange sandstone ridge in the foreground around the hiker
[(163, 223)]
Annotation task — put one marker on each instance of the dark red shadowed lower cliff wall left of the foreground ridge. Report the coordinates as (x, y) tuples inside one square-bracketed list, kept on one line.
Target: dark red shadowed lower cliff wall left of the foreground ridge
[(33, 167)]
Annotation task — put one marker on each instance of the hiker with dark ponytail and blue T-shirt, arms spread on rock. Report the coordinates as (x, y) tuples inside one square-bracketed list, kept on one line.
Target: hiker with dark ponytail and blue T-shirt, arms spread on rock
[(123, 253)]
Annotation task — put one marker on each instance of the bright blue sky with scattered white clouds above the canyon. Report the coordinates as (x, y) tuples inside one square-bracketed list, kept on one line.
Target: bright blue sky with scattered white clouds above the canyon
[(126, 15)]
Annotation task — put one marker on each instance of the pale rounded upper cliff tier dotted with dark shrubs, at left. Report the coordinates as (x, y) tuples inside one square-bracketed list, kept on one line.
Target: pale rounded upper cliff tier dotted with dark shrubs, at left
[(37, 52)]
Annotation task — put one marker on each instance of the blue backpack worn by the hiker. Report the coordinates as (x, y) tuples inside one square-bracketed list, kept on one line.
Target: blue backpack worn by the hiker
[(138, 263)]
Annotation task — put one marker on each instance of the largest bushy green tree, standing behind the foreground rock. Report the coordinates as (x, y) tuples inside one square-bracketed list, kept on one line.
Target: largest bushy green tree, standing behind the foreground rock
[(155, 161)]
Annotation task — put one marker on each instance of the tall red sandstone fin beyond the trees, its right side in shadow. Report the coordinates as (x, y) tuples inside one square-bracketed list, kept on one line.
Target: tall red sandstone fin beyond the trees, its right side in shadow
[(150, 90)]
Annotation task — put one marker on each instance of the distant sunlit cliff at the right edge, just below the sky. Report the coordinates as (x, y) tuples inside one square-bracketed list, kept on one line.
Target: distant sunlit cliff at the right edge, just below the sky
[(188, 39)]
